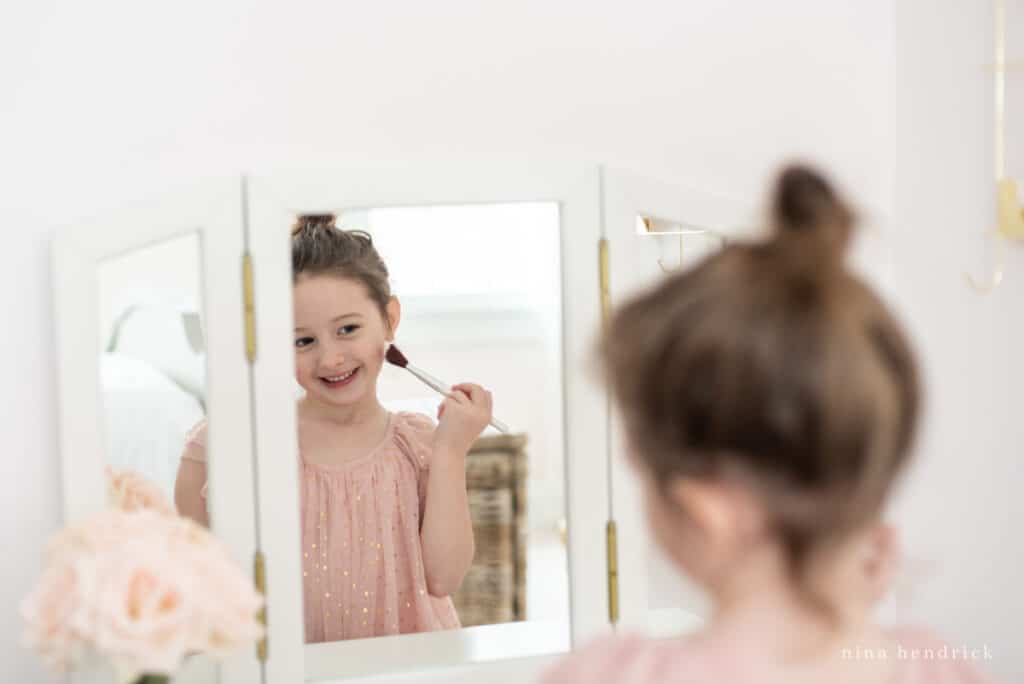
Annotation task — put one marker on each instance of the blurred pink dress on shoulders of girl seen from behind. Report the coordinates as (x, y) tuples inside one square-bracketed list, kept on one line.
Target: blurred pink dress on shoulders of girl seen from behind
[(919, 655)]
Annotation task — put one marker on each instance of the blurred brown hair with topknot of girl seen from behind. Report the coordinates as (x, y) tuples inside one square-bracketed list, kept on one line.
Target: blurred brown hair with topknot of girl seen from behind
[(773, 361)]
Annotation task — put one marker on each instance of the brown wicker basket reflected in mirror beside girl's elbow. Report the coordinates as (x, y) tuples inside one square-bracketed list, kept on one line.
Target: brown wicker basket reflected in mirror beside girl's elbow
[(495, 588)]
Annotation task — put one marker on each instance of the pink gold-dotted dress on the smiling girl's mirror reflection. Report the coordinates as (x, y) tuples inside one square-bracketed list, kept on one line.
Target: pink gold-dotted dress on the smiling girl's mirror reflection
[(363, 572)]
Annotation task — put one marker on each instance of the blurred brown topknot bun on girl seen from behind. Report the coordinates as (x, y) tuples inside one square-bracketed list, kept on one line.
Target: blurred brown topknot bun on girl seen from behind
[(807, 213)]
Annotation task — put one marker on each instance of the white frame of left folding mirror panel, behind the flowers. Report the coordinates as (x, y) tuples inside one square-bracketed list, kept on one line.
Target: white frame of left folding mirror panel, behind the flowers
[(214, 211)]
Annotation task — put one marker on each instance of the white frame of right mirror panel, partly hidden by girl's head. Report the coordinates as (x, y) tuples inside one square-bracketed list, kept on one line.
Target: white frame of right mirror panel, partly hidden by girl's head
[(634, 266)]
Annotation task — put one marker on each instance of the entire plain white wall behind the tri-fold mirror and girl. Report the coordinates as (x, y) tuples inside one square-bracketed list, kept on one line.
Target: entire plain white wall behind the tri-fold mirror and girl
[(104, 102)]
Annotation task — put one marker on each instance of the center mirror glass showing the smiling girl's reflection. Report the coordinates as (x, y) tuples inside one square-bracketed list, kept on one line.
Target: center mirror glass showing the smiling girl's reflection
[(467, 294)]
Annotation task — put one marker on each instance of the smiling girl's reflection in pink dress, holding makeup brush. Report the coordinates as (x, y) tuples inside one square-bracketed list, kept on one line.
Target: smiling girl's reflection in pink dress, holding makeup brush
[(387, 533)]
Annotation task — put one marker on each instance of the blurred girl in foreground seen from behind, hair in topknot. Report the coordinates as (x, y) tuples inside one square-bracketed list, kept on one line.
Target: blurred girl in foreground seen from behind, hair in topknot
[(771, 401)]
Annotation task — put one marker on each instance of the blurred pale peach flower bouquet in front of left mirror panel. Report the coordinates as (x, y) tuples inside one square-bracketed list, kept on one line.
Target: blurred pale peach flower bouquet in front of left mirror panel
[(141, 588)]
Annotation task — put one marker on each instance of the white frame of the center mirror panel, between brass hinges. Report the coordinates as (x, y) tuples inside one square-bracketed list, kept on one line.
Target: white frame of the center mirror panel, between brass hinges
[(274, 202)]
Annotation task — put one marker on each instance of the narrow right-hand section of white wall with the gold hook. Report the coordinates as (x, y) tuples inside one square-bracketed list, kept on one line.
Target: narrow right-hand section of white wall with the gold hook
[(962, 506)]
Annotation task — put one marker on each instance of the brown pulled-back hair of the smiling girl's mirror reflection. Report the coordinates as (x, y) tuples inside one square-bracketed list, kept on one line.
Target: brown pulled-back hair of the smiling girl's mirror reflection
[(320, 248)]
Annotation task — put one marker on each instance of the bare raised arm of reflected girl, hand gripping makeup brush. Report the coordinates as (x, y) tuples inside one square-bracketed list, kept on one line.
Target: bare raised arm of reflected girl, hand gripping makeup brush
[(447, 534)]
